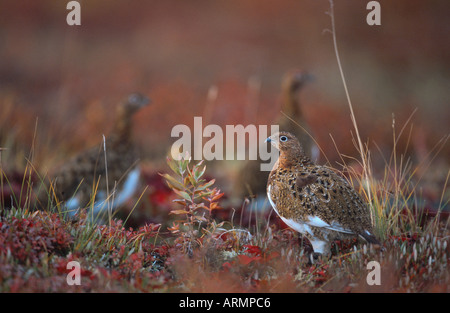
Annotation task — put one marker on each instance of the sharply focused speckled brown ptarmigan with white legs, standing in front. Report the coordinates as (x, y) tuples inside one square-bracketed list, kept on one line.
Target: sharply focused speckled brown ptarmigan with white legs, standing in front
[(313, 199)]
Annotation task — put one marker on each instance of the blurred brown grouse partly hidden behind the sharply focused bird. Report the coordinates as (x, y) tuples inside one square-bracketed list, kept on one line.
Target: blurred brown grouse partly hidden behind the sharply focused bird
[(251, 180)]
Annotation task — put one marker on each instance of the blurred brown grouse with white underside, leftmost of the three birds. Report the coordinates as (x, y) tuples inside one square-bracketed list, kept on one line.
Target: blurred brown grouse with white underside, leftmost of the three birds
[(110, 171)]
